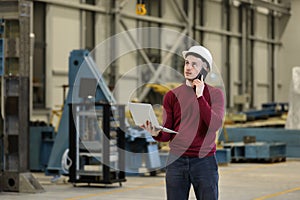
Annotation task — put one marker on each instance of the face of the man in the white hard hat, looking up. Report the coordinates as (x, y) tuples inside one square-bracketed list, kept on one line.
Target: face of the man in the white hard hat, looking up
[(192, 67)]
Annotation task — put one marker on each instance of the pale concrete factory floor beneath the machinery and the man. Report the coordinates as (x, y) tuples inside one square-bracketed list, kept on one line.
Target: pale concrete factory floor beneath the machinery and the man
[(238, 181)]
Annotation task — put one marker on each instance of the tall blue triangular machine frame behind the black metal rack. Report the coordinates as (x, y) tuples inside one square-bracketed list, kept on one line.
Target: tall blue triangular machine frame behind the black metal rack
[(82, 73)]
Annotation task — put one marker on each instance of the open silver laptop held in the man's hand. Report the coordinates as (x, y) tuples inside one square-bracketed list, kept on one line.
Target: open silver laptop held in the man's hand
[(141, 112)]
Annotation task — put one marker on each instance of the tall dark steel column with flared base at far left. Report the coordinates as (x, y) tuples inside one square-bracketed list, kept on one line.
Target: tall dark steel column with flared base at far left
[(16, 95)]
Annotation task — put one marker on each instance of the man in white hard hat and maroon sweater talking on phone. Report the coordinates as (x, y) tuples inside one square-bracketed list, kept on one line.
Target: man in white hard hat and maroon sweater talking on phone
[(195, 110)]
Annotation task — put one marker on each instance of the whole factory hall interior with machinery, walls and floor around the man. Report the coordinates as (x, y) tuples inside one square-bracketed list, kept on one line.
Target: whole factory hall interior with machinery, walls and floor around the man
[(69, 69)]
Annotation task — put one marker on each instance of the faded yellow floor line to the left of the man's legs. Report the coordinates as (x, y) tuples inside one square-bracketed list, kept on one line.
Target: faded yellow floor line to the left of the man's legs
[(116, 191)]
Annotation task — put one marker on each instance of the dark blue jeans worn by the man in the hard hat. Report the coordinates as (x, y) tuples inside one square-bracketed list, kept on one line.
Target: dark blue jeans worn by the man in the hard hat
[(182, 172)]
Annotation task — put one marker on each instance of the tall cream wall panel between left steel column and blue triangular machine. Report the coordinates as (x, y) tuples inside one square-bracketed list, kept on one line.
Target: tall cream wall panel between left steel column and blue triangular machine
[(62, 36)]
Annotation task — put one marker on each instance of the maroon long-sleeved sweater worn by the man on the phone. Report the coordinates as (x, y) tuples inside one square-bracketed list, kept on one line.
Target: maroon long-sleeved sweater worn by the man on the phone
[(195, 119)]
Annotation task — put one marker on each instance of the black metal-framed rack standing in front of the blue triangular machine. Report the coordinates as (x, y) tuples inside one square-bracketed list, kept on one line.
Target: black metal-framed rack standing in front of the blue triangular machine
[(96, 147)]
